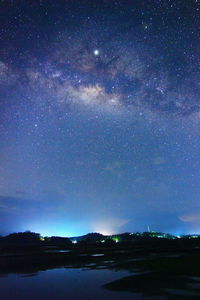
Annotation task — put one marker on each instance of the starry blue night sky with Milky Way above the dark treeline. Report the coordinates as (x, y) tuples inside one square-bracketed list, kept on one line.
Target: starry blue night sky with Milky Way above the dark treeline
[(99, 116)]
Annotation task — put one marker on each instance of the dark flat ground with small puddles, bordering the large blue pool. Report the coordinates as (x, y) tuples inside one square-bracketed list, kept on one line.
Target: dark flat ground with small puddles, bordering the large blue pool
[(157, 268)]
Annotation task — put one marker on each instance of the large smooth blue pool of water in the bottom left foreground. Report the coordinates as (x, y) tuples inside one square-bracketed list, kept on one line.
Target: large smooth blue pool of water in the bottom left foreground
[(62, 284)]
